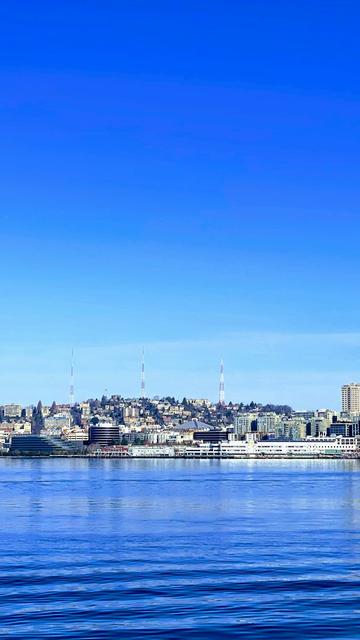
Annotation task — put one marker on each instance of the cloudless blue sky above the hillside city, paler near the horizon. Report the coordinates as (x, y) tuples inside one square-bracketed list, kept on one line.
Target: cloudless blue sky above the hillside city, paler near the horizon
[(183, 176)]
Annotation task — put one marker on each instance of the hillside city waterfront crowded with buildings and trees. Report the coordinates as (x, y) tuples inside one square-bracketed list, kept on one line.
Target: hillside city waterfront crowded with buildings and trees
[(165, 426)]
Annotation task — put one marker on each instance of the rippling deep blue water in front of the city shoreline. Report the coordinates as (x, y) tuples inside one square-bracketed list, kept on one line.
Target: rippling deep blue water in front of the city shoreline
[(179, 549)]
